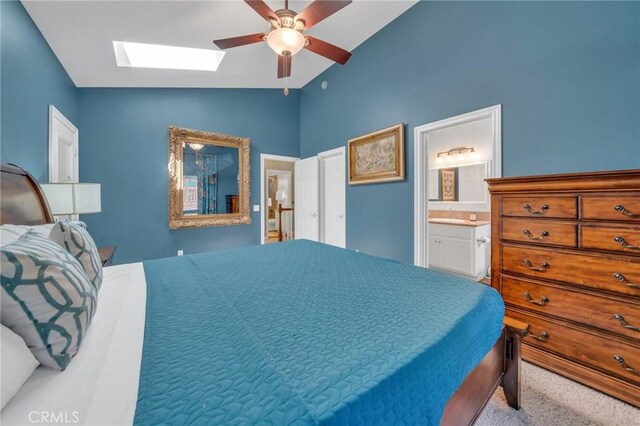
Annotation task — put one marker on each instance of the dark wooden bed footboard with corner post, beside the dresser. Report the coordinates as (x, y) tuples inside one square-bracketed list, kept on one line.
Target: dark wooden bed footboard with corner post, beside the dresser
[(500, 367)]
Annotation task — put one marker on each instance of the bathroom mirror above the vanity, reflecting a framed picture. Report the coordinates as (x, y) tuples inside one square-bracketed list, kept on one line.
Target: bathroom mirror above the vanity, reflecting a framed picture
[(463, 183)]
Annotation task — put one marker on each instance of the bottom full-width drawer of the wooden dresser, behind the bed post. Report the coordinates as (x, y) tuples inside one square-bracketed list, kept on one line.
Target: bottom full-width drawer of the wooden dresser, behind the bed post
[(596, 351)]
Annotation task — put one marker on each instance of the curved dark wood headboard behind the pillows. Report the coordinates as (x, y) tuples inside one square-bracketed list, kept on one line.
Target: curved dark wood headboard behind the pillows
[(22, 201)]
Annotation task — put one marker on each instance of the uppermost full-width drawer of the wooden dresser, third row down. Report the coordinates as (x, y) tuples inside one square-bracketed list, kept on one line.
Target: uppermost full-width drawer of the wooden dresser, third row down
[(619, 274)]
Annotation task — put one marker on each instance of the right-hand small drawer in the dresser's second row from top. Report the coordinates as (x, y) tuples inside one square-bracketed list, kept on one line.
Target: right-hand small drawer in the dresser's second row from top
[(610, 238)]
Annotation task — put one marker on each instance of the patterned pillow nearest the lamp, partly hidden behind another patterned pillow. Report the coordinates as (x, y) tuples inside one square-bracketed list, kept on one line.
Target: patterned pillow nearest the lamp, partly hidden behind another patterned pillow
[(79, 243)]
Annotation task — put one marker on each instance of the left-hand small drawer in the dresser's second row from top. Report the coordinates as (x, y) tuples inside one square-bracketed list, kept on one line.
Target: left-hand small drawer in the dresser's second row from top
[(539, 232)]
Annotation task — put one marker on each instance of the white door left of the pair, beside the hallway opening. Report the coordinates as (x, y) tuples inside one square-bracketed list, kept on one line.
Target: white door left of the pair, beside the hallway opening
[(306, 195)]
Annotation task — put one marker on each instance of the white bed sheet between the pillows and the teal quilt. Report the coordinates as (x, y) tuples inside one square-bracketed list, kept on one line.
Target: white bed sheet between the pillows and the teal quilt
[(100, 385)]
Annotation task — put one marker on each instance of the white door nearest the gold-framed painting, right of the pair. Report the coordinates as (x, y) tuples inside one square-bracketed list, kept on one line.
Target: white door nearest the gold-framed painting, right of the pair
[(333, 197)]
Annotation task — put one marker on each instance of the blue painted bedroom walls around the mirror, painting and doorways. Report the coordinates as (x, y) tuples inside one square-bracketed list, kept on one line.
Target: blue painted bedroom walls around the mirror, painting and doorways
[(567, 75)]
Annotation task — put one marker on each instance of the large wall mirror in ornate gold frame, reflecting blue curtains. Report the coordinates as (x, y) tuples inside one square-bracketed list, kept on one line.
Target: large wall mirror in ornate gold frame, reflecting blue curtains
[(208, 179)]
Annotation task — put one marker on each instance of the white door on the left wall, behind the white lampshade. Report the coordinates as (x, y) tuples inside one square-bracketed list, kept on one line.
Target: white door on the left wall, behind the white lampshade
[(63, 148)]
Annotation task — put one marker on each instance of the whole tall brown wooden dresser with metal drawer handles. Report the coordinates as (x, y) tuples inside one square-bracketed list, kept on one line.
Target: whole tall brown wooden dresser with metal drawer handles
[(566, 259)]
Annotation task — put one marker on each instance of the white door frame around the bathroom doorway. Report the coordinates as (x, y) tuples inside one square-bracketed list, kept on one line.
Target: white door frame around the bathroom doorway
[(420, 153)]
